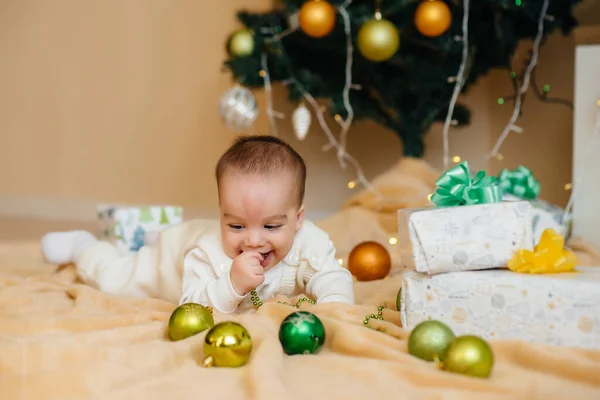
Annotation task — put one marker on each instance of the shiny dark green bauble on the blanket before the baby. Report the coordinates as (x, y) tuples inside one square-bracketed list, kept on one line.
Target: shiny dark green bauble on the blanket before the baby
[(301, 333)]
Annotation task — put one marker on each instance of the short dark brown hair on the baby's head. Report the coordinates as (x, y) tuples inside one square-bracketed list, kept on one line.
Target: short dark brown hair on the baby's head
[(264, 155)]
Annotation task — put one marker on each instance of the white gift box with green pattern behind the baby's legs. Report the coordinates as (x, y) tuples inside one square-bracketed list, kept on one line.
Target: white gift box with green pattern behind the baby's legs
[(130, 227)]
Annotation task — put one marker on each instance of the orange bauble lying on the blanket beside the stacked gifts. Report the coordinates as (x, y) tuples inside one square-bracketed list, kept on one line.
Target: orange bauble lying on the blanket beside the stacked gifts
[(369, 261)]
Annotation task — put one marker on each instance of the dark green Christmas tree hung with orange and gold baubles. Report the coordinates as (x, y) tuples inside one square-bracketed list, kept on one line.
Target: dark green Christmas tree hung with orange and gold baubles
[(395, 62)]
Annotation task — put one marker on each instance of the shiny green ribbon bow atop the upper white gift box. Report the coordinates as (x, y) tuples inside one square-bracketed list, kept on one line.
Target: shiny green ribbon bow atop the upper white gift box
[(457, 188)]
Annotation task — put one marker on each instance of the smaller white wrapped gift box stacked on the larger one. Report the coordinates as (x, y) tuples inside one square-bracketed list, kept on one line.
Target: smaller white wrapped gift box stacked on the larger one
[(475, 237)]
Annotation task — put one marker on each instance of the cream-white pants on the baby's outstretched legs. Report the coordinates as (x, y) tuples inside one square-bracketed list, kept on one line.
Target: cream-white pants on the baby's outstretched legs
[(155, 271)]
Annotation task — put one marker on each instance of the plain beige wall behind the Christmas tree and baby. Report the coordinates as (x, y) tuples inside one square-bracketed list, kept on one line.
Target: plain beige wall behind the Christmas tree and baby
[(117, 101)]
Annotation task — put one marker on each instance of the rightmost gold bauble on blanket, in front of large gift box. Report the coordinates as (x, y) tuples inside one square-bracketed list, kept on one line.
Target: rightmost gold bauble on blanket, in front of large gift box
[(469, 355)]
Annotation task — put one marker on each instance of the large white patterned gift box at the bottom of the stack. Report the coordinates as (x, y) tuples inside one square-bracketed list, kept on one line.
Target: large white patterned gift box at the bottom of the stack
[(558, 309)]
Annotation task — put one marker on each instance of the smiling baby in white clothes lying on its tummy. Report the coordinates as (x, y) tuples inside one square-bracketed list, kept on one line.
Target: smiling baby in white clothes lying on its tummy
[(261, 243)]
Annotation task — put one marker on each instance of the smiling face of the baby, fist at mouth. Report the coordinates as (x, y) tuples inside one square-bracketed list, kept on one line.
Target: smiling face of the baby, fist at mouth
[(259, 213)]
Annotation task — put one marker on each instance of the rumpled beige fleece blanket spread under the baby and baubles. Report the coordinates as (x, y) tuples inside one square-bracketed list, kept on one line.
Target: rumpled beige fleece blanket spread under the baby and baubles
[(62, 340)]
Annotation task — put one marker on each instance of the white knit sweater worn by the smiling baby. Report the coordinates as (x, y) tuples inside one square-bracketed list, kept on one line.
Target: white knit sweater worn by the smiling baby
[(310, 267)]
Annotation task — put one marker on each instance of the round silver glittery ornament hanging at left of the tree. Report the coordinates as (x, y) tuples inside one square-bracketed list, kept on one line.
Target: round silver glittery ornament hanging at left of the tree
[(238, 108)]
